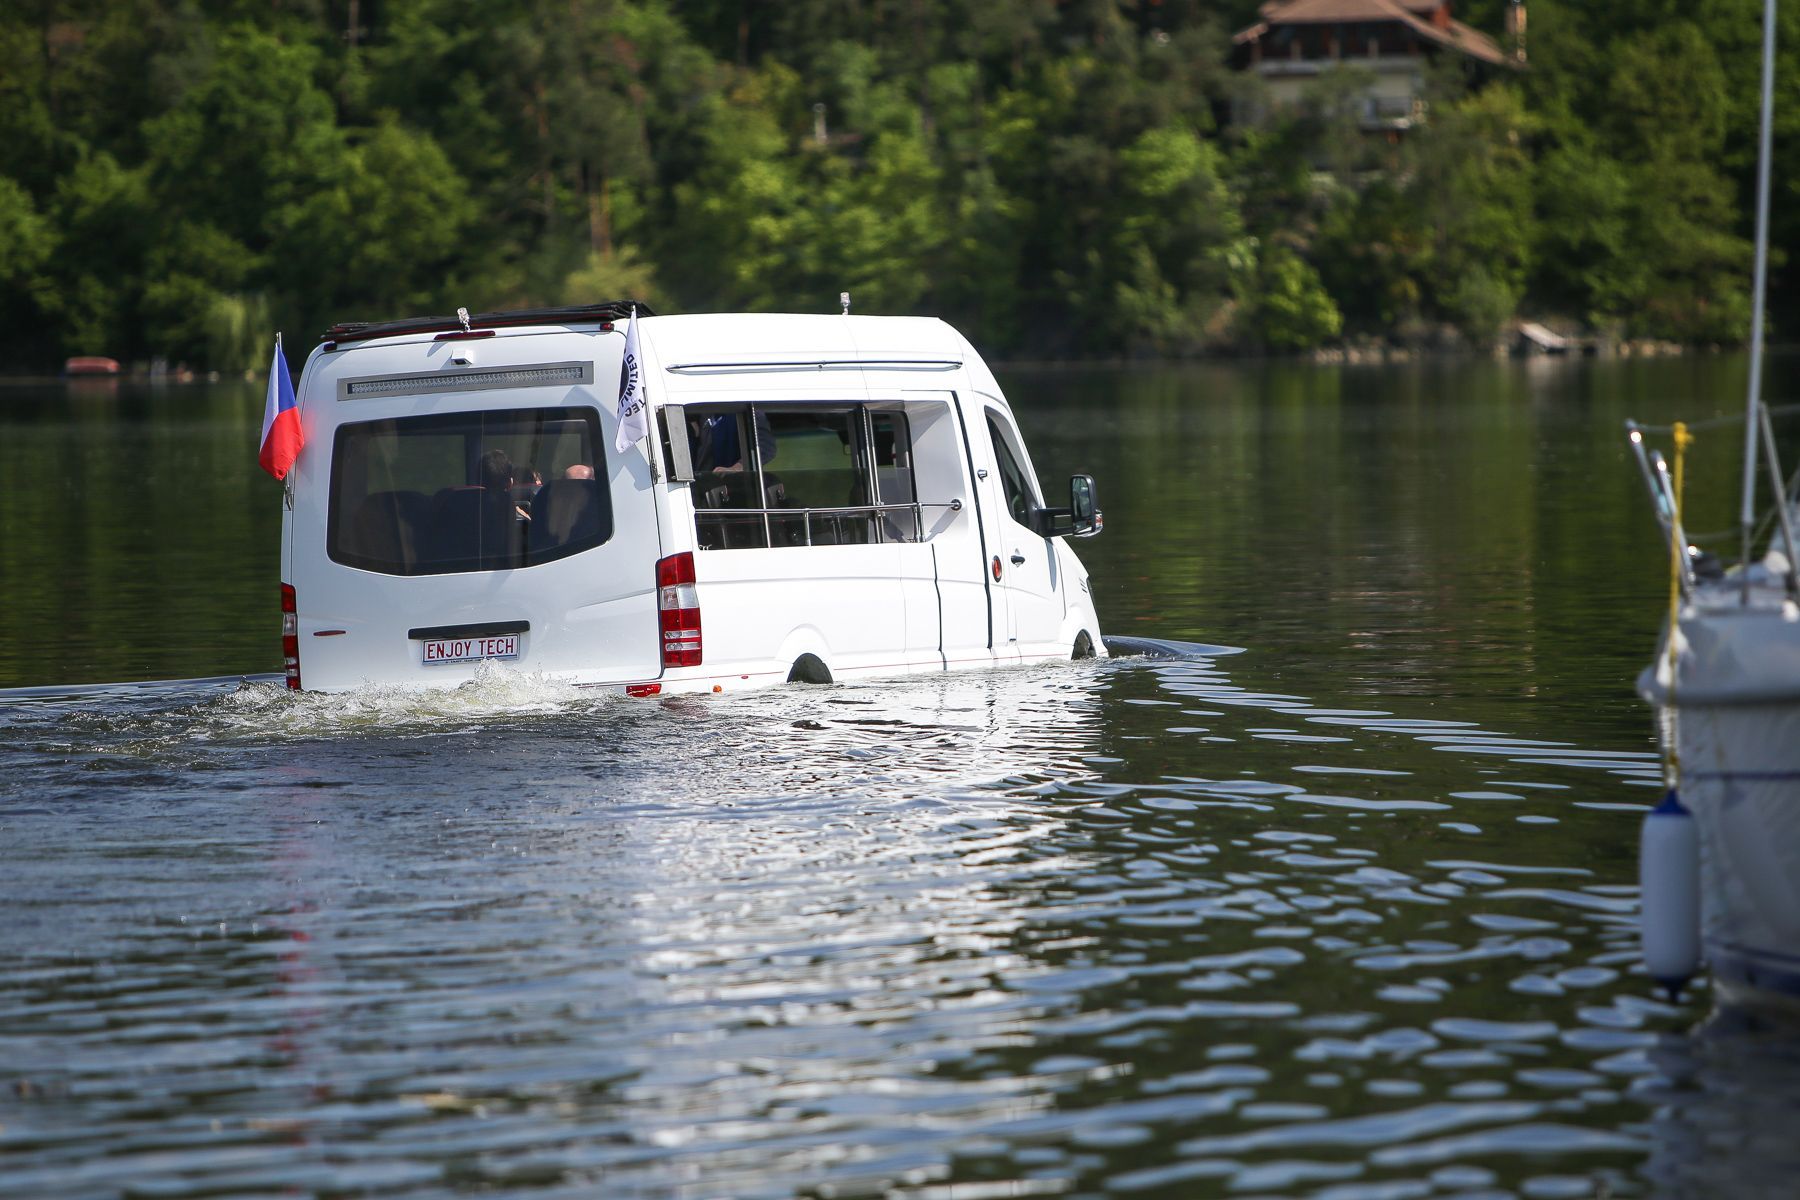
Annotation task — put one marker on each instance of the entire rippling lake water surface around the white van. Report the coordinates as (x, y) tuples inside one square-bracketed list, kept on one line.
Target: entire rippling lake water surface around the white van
[(1349, 915)]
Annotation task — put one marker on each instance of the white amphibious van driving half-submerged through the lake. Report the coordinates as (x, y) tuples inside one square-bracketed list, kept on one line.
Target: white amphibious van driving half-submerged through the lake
[(818, 497)]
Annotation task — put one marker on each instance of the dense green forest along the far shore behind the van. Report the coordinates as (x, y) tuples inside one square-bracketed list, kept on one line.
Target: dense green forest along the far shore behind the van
[(1059, 179)]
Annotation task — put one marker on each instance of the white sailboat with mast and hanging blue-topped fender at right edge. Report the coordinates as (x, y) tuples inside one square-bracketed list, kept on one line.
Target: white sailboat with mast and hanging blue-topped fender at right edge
[(1722, 854)]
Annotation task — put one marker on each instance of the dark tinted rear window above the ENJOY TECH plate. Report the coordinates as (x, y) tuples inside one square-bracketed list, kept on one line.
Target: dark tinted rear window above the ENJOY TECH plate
[(469, 492)]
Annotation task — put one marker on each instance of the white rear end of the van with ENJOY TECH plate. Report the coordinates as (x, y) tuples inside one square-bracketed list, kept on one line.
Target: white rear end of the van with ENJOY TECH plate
[(480, 514)]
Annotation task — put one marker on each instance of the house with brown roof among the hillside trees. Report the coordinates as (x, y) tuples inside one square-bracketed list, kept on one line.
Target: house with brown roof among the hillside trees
[(1299, 40)]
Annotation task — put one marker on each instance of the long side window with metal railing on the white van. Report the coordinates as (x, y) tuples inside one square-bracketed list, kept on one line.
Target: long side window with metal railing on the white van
[(825, 476)]
